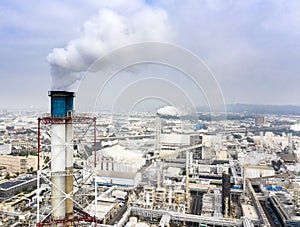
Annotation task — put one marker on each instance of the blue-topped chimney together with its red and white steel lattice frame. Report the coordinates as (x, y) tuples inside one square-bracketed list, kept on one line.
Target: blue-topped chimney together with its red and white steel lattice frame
[(59, 172)]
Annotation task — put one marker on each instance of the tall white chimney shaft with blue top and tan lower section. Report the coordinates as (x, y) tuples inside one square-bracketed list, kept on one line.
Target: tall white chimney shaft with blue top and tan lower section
[(61, 154)]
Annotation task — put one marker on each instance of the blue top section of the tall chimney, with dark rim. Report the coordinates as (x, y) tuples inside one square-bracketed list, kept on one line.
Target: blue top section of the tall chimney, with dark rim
[(61, 103)]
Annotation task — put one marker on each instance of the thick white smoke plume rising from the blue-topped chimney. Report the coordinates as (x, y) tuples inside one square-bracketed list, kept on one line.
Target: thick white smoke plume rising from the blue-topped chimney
[(108, 30)]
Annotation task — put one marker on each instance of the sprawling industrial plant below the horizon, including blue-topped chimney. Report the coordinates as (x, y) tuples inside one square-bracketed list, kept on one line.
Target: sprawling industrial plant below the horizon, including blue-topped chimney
[(152, 170)]
